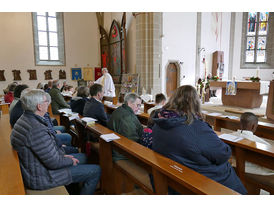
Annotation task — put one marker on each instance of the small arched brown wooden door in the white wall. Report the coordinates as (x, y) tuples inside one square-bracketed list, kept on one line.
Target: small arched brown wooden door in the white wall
[(171, 79)]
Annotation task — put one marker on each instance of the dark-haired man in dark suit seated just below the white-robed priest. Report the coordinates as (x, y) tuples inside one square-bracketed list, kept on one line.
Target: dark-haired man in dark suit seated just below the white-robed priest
[(94, 108)]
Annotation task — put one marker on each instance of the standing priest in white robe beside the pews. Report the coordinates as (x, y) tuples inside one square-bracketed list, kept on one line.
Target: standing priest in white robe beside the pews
[(107, 83)]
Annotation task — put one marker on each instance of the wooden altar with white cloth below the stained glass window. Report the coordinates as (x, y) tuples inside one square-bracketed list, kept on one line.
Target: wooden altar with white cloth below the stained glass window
[(249, 94)]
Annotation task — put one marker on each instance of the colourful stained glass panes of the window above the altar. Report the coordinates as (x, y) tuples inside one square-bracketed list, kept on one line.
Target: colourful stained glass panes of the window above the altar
[(256, 36)]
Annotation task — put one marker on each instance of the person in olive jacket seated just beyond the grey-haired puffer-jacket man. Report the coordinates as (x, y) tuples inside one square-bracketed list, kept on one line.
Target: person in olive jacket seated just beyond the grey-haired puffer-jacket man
[(58, 101)]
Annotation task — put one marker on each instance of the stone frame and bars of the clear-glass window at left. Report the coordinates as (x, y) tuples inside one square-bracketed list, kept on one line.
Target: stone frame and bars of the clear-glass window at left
[(61, 41)]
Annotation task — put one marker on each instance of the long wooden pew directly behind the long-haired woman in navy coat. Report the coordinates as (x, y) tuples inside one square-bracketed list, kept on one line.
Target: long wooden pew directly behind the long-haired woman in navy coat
[(166, 172)]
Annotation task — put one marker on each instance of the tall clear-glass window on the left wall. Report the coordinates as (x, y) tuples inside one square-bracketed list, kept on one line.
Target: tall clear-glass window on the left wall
[(48, 32)]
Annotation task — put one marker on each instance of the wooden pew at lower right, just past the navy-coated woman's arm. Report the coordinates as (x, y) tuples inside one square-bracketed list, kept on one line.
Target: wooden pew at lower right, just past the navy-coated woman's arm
[(256, 153)]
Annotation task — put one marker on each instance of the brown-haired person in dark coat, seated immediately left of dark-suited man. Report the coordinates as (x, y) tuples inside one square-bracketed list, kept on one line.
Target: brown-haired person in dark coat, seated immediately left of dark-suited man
[(77, 103)]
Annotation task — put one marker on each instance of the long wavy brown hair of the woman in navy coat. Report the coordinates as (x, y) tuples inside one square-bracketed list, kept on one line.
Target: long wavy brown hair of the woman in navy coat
[(185, 101)]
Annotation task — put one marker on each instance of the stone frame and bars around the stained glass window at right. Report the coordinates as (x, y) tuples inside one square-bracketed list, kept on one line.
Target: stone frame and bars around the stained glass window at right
[(269, 63)]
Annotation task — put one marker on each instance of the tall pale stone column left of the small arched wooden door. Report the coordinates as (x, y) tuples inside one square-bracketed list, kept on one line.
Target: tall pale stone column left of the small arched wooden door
[(148, 51)]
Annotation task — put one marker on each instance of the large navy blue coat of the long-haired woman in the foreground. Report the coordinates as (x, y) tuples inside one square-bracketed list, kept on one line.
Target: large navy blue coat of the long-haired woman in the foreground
[(197, 147)]
